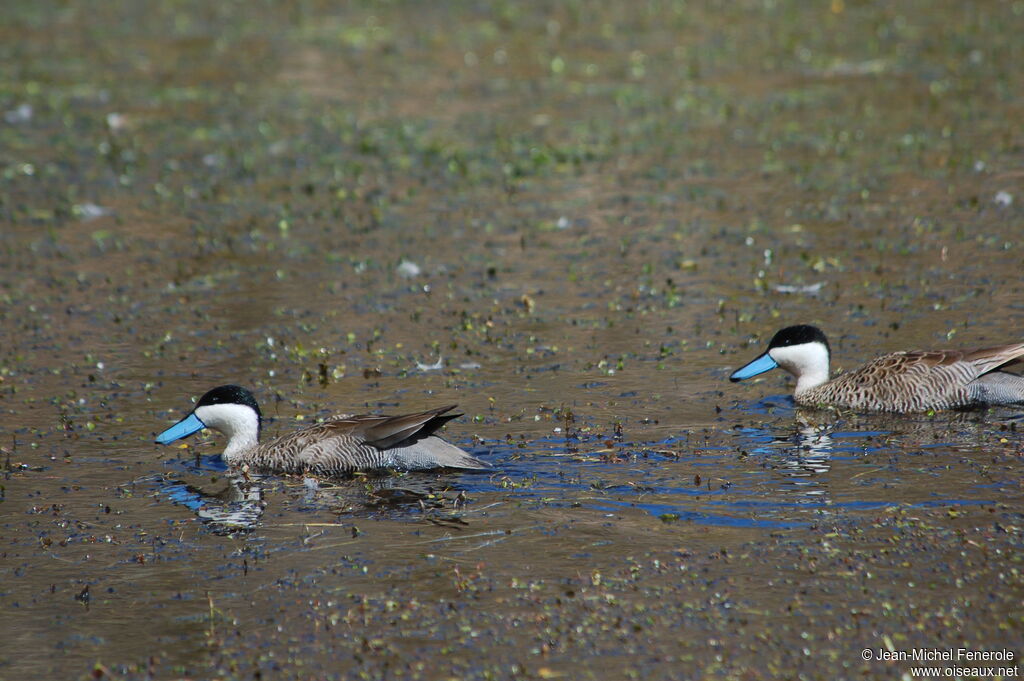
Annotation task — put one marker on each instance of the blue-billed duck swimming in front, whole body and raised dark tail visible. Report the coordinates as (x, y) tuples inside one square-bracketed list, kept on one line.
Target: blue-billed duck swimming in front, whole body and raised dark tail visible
[(343, 445)]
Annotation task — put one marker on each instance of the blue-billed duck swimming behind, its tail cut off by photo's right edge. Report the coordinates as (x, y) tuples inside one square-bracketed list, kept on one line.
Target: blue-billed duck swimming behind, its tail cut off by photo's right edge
[(899, 382)]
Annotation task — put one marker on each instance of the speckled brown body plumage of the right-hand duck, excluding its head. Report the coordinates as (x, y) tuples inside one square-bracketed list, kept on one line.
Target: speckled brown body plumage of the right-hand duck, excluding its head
[(919, 381)]
